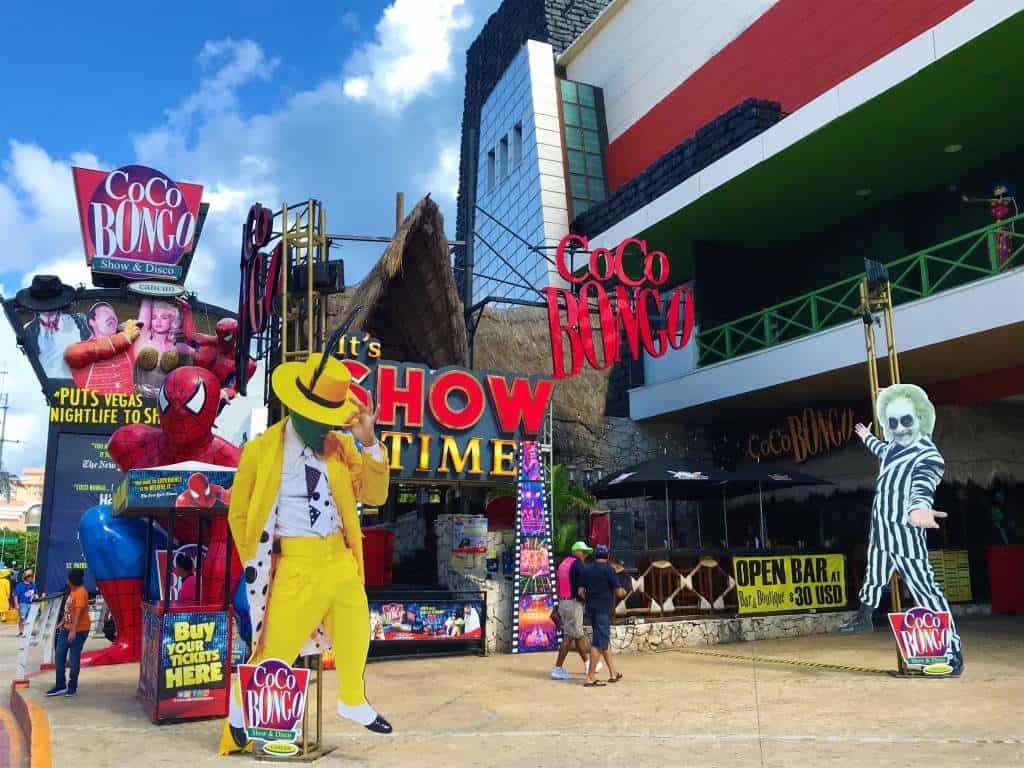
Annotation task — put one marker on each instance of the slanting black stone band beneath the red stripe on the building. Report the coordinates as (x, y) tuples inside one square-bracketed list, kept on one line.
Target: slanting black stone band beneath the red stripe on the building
[(713, 141)]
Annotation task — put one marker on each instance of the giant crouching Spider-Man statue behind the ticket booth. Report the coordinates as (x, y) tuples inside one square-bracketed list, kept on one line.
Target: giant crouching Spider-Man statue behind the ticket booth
[(115, 548)]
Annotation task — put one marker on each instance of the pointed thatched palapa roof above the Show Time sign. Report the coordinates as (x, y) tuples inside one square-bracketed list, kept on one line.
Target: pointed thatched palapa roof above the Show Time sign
[(410, 301)]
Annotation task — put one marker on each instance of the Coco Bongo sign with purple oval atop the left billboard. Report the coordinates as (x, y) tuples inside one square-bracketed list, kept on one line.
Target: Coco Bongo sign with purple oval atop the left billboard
[(137, 223)]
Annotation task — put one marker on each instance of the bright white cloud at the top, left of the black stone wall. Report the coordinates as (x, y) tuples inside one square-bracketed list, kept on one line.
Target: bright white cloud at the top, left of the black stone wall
[(412, 50)]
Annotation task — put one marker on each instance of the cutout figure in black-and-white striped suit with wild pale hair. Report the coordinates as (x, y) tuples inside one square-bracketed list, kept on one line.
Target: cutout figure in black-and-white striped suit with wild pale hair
[(912, 470)]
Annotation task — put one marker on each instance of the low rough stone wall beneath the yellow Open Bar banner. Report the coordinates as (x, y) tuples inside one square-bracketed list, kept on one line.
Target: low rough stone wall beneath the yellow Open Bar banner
[(690, 633)]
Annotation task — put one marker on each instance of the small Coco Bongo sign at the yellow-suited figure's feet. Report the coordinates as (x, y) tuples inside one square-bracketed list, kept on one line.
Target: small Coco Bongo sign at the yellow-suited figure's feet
[(274, 702)]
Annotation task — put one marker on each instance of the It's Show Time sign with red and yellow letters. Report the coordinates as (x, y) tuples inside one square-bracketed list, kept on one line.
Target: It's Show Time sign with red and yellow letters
[(451, 423)]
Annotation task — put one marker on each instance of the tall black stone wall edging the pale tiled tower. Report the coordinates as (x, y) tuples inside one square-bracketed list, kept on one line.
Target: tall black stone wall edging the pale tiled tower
[(516, 22)]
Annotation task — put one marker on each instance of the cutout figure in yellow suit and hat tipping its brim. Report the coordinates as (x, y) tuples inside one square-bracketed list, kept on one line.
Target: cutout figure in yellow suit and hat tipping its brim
[(294, 522)]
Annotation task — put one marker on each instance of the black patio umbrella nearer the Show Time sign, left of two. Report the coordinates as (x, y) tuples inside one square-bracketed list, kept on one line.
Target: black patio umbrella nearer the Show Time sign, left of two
[(676, 479)]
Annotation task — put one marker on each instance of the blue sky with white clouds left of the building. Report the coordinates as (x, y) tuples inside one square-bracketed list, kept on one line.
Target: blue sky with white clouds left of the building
[(348, 102)]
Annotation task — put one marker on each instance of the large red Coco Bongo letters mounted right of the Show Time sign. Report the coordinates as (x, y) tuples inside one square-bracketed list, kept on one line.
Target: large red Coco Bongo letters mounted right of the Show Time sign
[(617, 305)]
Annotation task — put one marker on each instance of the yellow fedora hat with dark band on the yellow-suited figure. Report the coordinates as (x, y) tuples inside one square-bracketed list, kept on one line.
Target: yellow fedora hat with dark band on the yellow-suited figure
[(319, 393)]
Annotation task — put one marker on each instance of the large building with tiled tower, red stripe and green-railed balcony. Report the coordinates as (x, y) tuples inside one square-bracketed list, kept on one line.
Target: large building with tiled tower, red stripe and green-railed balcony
[(770, 148)]
